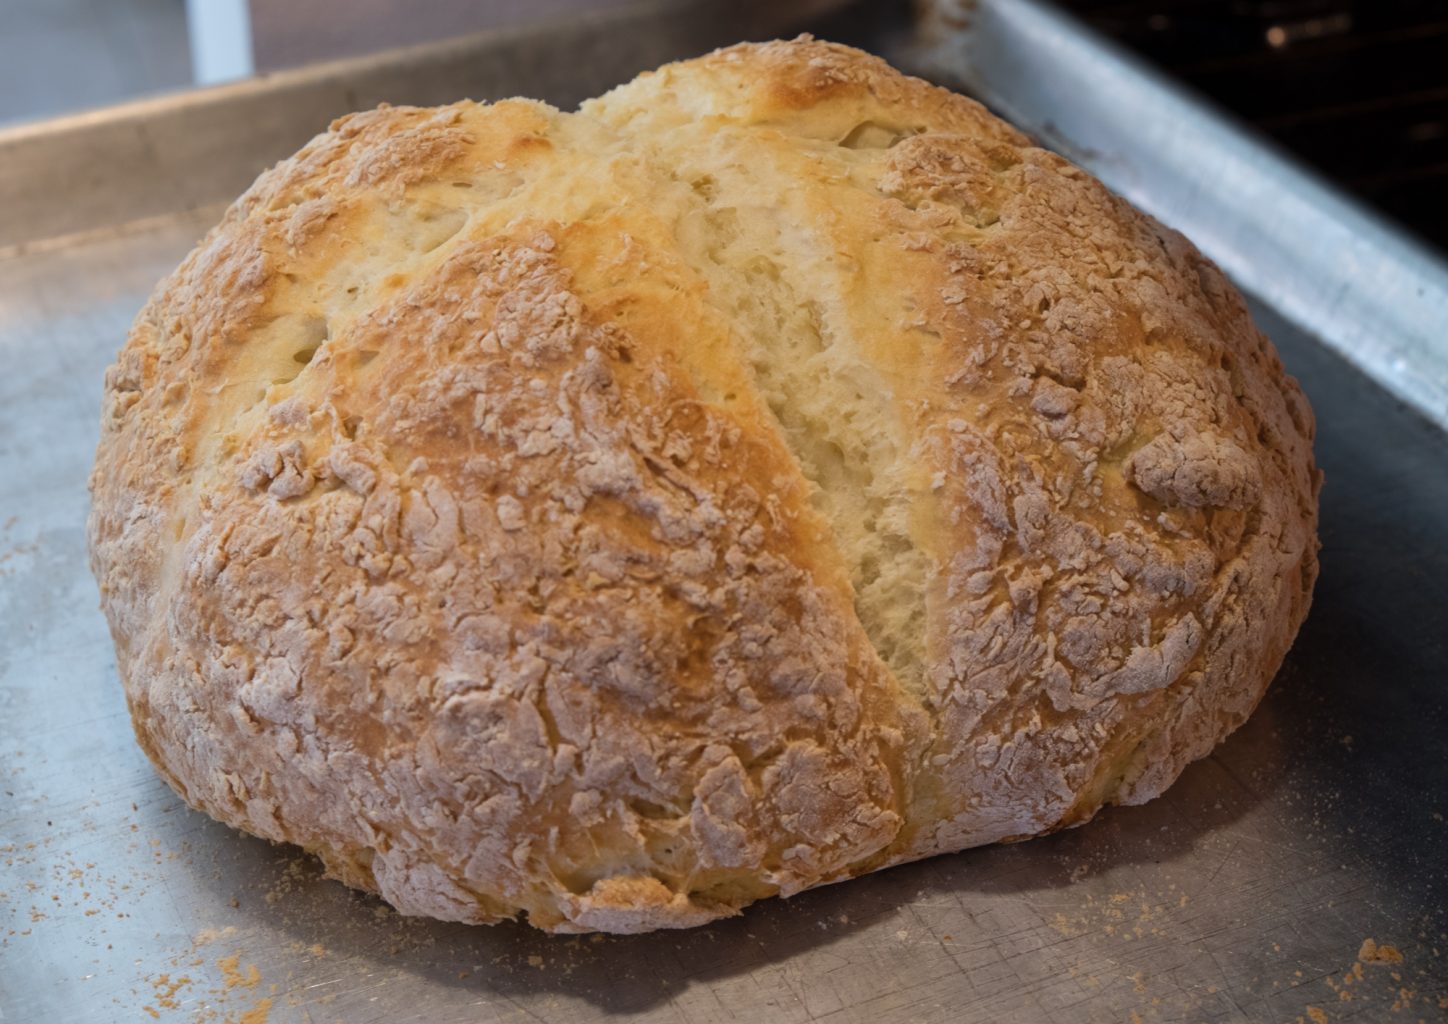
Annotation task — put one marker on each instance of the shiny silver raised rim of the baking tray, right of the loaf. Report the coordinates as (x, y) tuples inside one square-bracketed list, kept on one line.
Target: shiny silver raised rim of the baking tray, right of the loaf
[(1330, 266)]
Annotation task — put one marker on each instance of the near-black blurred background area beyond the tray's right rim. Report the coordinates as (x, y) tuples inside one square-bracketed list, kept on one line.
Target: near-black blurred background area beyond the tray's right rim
[(1359, 91)]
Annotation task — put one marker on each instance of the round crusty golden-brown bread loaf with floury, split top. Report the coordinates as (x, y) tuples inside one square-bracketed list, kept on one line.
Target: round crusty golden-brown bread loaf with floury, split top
[(775, 471)]
